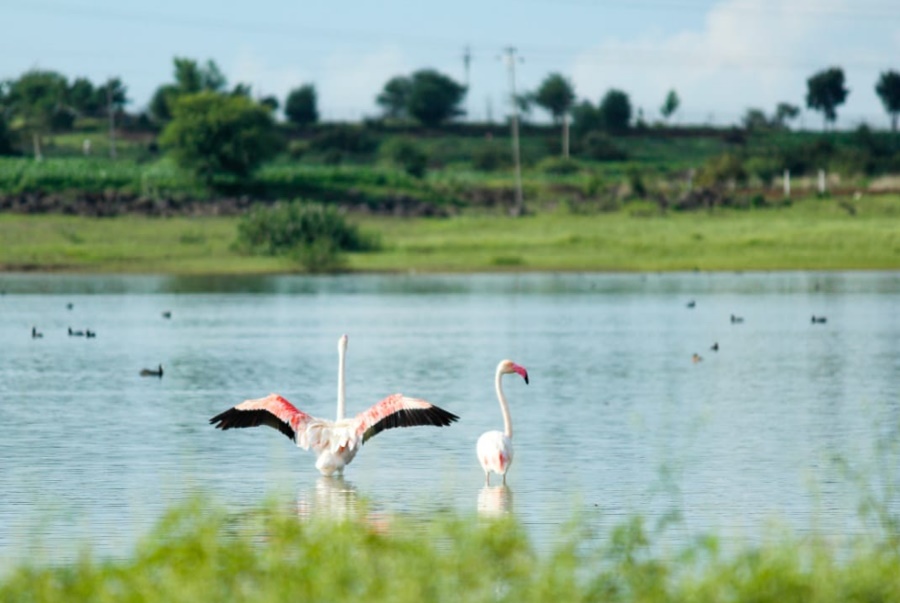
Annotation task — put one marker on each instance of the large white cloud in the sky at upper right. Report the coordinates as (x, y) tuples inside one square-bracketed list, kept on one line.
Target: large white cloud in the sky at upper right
[(744, 55)]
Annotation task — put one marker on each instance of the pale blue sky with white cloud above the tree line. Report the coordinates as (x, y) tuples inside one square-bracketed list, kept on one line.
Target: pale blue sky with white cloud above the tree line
[(721, 57)]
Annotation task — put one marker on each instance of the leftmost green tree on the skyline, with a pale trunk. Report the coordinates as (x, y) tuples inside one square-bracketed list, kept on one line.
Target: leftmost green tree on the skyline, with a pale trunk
[(35, 98)]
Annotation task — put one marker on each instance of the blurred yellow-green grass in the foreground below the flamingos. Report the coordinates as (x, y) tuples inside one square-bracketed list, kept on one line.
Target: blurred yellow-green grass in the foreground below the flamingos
[(198, 553)]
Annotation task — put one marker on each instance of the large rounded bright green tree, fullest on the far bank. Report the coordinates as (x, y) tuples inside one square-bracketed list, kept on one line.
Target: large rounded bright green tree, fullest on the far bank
[(215, 134)]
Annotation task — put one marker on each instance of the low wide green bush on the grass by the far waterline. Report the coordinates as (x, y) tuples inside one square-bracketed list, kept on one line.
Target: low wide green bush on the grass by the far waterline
[(311, 233)]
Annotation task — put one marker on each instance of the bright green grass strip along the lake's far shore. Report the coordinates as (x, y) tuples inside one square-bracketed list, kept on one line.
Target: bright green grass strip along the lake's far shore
[(813, 234)]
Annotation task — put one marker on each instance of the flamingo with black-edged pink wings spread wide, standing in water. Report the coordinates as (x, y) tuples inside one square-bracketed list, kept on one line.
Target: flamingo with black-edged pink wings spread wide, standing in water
[(334, 442)]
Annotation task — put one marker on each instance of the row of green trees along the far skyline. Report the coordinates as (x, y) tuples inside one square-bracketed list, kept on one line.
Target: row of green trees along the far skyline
[(215, 129)]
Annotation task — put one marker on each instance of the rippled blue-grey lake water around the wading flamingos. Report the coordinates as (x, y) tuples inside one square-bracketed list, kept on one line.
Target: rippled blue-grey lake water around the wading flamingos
[(618, 420)]
